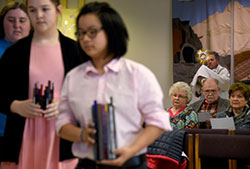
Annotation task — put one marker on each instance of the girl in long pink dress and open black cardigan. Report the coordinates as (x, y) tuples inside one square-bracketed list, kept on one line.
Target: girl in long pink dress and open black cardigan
[(47, 60)]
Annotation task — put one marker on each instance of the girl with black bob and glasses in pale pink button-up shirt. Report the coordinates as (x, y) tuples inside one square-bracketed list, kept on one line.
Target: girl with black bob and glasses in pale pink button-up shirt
[(137, 96)]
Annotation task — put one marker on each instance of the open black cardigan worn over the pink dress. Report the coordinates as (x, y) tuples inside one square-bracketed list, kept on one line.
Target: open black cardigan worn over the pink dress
[(14, 75)]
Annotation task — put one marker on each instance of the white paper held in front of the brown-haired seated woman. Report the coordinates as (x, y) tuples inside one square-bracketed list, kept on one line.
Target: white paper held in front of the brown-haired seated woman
[(223, 123)]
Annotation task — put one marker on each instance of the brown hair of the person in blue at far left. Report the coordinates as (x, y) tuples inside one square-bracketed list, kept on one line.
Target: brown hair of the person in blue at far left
[(5, 10)]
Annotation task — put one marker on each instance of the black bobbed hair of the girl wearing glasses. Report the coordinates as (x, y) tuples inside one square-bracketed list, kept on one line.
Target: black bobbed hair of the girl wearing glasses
[(112, 24)]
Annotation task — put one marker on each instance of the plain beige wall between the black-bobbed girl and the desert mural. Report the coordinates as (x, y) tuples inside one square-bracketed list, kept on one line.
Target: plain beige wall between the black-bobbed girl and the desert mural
[(150, 28)]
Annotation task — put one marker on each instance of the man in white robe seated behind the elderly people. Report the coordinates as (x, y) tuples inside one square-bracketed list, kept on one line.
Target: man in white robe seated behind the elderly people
[(212, 70)]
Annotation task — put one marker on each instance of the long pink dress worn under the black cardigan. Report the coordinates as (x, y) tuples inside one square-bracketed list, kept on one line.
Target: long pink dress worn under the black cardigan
[(40, 146)]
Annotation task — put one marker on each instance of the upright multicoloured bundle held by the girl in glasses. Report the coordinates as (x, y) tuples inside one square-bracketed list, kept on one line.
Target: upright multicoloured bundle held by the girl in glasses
[(105, 138)]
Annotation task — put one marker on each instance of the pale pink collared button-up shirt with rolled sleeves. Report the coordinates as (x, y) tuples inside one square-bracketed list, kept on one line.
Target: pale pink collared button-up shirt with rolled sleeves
[(136, 96)]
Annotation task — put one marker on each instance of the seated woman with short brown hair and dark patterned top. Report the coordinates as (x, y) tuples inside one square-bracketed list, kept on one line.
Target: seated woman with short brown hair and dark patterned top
[(239, 94)]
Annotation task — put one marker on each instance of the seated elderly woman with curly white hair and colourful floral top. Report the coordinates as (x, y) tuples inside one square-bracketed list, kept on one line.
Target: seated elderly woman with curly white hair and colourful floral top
[(181, 115)]
